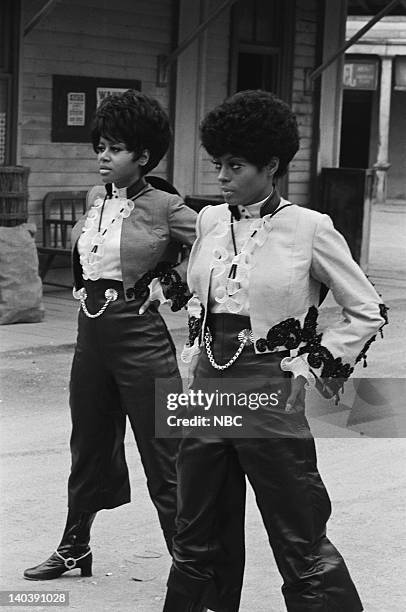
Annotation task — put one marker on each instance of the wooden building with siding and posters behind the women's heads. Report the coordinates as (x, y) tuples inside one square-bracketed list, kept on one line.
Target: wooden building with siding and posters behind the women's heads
[(62, 56)]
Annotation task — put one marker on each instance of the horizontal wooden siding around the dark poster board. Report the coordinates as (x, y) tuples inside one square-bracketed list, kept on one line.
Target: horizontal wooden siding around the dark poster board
[(84, 38)]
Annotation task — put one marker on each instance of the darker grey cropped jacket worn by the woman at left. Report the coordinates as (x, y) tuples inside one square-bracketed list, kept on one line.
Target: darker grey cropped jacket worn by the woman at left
[(159, 223)]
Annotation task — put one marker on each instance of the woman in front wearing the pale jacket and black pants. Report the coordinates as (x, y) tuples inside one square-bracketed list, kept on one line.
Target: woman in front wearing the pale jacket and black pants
[(256, 273)]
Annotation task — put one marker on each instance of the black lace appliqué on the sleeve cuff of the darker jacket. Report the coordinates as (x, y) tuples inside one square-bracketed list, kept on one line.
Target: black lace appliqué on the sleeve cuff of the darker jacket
[(173, 287)]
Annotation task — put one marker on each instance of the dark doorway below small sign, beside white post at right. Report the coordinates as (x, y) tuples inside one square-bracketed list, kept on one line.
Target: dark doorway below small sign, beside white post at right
[(355, 129)]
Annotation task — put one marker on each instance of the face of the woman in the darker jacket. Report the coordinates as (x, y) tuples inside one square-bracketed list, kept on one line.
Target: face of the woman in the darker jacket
[(116, 163)]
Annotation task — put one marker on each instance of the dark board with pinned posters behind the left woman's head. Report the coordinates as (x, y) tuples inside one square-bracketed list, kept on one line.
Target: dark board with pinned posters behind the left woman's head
[(74, 100)]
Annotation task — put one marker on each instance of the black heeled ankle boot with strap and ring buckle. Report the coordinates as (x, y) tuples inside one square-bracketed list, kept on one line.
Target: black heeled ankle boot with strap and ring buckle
[(73, 551)]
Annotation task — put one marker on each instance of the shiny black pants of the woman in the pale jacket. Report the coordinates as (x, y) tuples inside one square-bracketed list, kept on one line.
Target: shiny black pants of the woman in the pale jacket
[(208, 553)]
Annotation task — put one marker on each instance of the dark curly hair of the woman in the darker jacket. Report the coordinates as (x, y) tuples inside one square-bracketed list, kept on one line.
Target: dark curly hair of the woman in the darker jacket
[(135, 119)]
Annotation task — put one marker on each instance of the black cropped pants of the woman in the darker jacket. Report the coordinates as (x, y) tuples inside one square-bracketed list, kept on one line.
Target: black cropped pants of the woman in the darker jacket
[(117, 358)]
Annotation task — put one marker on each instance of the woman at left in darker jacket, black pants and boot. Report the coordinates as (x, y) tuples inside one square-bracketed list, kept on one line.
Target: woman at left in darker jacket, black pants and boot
[(126, 260)]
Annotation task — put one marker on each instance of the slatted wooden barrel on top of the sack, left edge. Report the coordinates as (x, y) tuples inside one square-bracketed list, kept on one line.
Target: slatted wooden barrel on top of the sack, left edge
[(13, 195)]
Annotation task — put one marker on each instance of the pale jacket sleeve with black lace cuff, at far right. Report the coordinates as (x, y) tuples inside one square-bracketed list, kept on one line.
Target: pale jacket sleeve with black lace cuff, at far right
[(334, 353)]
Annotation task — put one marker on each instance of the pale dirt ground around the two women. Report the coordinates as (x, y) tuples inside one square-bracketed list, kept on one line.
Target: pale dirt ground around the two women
[(361, 461)]
